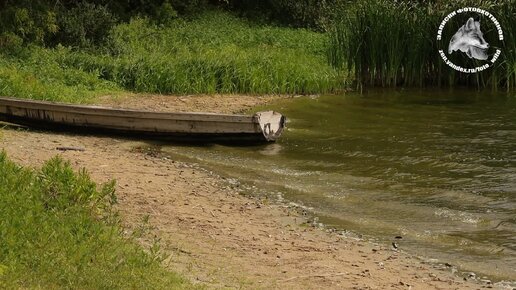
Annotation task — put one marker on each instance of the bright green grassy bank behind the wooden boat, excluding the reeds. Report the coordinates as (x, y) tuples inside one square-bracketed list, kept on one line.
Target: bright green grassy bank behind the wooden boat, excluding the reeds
[(214, 53)]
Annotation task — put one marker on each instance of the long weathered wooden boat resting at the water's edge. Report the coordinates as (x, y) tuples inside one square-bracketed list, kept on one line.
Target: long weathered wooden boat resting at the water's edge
[(261, 127)]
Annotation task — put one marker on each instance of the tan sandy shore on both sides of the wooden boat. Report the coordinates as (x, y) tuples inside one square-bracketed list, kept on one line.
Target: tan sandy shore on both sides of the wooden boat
[(214, 235)]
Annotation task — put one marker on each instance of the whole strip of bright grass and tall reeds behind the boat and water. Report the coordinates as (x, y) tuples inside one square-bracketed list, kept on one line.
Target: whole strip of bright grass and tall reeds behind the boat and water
[(371, 42)]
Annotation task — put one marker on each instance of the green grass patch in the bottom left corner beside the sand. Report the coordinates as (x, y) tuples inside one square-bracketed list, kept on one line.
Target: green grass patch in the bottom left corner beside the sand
[(58, 230)]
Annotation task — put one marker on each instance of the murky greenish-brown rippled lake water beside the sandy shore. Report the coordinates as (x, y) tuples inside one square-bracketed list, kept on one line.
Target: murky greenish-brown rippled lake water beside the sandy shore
[(437, 168)]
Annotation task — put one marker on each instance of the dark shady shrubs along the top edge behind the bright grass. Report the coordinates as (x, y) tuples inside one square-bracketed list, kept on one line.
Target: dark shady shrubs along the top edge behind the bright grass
[(87, 22)]
